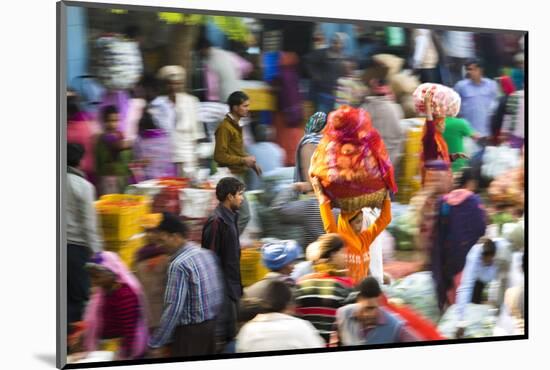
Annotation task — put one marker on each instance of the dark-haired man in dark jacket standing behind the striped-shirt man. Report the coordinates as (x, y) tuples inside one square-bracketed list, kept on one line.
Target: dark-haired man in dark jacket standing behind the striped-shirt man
[(220, 234)]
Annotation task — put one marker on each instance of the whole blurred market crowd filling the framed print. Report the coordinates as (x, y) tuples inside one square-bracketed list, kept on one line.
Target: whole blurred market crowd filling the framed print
[(379, 200)]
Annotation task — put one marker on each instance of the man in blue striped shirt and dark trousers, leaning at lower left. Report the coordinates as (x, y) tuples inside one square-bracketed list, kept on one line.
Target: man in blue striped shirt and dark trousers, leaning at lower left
[(193, 297)]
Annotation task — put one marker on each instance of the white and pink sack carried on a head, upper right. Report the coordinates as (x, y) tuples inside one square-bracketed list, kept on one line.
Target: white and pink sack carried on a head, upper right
[(445, 101)]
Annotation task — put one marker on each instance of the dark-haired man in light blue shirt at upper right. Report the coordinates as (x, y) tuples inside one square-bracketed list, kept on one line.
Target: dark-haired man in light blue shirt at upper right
[(478, 96)]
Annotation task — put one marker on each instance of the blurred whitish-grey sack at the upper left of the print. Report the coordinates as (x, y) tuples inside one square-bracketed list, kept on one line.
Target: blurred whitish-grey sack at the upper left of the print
[(117, 62)]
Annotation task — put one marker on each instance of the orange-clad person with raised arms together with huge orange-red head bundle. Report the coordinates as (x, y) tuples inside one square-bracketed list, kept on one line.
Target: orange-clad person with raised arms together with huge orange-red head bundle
[(351, 170)]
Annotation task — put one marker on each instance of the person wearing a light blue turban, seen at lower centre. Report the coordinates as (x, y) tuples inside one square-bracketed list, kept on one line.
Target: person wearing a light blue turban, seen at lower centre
[(279, 258)]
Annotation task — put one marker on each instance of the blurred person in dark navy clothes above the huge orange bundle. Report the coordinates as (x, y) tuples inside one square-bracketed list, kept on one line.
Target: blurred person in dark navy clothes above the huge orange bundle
[(326, 66)]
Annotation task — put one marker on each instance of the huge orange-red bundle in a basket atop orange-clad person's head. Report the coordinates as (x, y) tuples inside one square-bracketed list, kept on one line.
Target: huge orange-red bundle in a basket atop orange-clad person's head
[(351, 161)]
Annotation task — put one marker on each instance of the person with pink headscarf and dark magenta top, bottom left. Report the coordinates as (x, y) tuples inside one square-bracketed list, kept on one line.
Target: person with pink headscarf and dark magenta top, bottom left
[(116, 310)]
